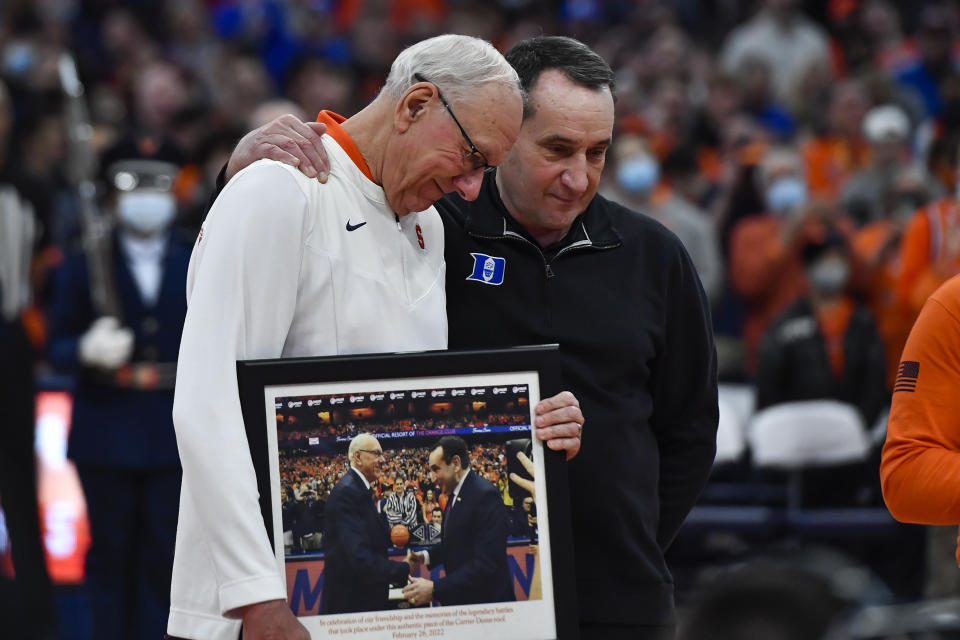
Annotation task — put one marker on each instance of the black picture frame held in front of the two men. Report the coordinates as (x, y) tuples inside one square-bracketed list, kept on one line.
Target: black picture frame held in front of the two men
[(256, 377)]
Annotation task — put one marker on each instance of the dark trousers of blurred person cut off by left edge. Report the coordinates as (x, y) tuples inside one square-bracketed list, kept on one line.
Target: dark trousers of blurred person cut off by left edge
[(18, 489)]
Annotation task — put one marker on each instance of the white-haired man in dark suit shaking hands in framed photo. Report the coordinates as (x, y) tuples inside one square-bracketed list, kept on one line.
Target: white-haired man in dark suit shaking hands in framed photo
[(358, 575)]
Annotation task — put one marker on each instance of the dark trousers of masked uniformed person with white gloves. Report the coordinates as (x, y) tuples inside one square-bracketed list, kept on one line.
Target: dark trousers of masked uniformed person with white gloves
[(133, 527)]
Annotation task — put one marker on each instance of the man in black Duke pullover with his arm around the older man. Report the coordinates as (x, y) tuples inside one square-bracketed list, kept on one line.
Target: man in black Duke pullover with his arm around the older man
[(539, 257)]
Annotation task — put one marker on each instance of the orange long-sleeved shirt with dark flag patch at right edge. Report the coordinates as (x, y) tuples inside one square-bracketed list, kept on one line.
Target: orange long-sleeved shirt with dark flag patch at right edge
[(920, 468)]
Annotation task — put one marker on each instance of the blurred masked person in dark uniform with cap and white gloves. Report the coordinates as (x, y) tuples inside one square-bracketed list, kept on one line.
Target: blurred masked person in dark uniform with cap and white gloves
[(122, 437)]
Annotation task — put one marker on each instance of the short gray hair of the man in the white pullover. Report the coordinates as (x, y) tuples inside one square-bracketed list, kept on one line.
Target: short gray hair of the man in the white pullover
[(456, 64)]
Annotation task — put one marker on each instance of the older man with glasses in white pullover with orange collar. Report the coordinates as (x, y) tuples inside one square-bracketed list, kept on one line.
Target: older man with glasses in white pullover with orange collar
[(287, 266)]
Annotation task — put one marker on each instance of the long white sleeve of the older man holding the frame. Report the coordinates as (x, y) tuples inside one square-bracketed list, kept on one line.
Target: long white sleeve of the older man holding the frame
[(241, 291)]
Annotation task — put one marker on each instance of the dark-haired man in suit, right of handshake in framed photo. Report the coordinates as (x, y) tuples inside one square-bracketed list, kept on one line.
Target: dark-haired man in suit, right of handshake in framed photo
[(473, 546)]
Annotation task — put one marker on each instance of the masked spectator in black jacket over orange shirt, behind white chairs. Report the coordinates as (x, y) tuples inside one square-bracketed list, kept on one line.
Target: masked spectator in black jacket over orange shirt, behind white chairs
[(825, 345)]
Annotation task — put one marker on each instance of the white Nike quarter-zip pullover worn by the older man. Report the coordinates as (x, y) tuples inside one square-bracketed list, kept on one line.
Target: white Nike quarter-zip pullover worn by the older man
[(284, 266)]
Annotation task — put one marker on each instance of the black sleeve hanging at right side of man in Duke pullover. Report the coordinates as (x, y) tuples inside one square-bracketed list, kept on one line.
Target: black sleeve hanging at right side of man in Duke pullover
[(684, 387)]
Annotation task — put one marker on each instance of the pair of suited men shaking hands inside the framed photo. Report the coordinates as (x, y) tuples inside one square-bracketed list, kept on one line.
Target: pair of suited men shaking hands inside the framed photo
[(473, 547)]
